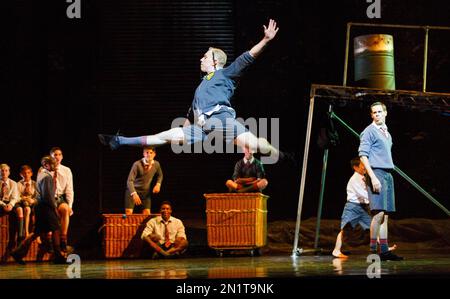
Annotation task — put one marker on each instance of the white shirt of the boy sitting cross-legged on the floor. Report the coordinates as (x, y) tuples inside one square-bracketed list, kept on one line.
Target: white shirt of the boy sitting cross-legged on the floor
[(157, 226)]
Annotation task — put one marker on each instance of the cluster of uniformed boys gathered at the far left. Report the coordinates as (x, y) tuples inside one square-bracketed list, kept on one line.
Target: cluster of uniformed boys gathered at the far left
[(42, 207)]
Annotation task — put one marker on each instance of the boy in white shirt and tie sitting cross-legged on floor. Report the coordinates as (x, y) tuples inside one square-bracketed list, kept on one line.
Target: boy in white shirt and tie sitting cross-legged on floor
[(165, 234)]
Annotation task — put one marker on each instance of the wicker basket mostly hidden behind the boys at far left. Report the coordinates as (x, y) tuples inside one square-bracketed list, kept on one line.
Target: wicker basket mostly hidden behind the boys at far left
[(34, 253)]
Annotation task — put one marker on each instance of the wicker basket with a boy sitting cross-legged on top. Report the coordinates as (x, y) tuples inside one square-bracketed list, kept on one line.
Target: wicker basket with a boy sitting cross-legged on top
[(236, 220)]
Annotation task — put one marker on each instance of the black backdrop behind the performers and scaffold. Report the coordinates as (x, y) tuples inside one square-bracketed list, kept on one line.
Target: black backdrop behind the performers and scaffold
[(133, 65)]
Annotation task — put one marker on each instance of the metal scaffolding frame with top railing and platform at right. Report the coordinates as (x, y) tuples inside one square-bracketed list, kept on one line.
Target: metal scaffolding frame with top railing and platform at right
[(422, 101)]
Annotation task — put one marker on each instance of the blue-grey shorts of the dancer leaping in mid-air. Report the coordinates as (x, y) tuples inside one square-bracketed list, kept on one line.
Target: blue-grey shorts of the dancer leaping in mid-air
[(222, 123)]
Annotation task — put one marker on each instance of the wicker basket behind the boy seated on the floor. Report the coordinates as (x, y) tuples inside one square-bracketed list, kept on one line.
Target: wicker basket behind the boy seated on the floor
[(122, 234)]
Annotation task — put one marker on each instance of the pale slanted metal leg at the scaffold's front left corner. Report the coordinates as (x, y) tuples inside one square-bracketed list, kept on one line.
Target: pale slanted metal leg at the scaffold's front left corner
[(295, 250)]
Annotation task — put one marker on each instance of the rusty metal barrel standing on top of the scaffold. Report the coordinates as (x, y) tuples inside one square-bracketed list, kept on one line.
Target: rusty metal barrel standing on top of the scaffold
[(374, 61)]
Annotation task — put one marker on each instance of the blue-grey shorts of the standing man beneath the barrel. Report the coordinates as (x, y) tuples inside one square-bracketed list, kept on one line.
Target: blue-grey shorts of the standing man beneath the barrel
[(385, 200)]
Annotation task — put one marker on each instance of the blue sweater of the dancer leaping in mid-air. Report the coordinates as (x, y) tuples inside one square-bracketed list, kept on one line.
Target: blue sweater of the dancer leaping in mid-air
[(218, 89)]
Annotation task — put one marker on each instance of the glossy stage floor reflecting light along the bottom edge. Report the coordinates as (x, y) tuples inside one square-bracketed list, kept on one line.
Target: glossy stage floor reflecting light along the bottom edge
[(427, 265)]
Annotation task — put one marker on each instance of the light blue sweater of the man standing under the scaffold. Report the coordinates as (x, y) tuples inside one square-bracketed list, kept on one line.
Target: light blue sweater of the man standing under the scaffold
[(376, 147)]
